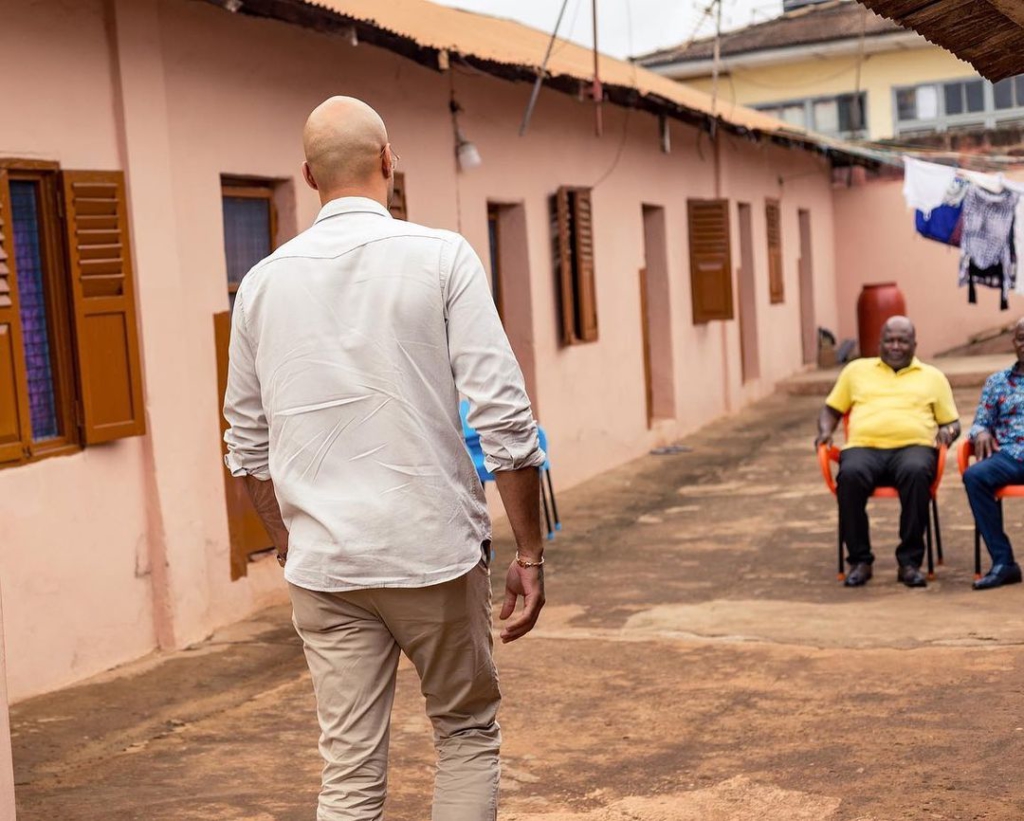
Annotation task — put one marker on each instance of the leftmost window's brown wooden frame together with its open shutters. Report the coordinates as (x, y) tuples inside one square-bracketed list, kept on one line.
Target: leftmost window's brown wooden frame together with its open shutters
[(87, 243)]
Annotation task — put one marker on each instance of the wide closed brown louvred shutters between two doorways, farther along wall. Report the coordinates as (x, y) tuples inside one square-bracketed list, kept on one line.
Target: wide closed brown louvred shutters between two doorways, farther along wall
[(711, 260)]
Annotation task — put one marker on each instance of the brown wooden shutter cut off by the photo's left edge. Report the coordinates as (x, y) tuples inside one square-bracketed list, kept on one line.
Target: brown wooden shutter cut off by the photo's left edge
[(16, 424)]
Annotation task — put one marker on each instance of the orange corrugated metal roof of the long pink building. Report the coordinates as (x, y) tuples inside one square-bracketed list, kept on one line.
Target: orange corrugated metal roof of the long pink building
[(434, 35)]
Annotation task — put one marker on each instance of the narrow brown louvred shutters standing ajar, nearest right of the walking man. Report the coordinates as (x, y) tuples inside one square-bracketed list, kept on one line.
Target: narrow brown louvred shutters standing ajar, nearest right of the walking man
[(573, 230)]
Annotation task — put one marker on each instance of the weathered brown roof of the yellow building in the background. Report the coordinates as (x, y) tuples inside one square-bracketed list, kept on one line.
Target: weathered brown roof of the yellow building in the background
[(827, 23)]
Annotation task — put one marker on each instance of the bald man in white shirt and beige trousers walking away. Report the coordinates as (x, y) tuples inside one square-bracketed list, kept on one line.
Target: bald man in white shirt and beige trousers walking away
[(350, 349)]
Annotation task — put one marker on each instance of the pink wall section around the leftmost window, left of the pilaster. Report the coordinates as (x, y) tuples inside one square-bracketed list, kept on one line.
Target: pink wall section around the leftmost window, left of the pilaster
[(74, 567)]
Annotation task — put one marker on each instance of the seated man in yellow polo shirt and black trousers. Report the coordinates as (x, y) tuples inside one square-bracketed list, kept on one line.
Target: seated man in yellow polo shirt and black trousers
[(900, 410)]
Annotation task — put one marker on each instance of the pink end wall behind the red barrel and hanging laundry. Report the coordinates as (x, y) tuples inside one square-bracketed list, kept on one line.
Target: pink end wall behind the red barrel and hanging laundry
[(877, 243)]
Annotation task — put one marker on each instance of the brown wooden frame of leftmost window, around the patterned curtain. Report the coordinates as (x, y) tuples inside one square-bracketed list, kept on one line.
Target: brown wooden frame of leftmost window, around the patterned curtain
[(57, 291)]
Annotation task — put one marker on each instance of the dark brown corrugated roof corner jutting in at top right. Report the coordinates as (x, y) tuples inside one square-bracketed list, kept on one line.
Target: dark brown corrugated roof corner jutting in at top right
[(989, 34)]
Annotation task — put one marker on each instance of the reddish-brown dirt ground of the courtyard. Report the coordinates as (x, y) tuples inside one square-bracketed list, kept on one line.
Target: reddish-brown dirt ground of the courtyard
[(698, 662)]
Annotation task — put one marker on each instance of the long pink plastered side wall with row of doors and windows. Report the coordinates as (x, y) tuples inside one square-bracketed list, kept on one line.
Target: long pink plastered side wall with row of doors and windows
[(183, 93)]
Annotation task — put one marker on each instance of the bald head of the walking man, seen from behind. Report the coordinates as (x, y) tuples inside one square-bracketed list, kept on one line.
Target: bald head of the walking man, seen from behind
[(344, 141)]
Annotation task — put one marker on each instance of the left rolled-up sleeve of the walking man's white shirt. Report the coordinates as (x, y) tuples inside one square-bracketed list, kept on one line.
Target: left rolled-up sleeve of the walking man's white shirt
[(247, 436)]
